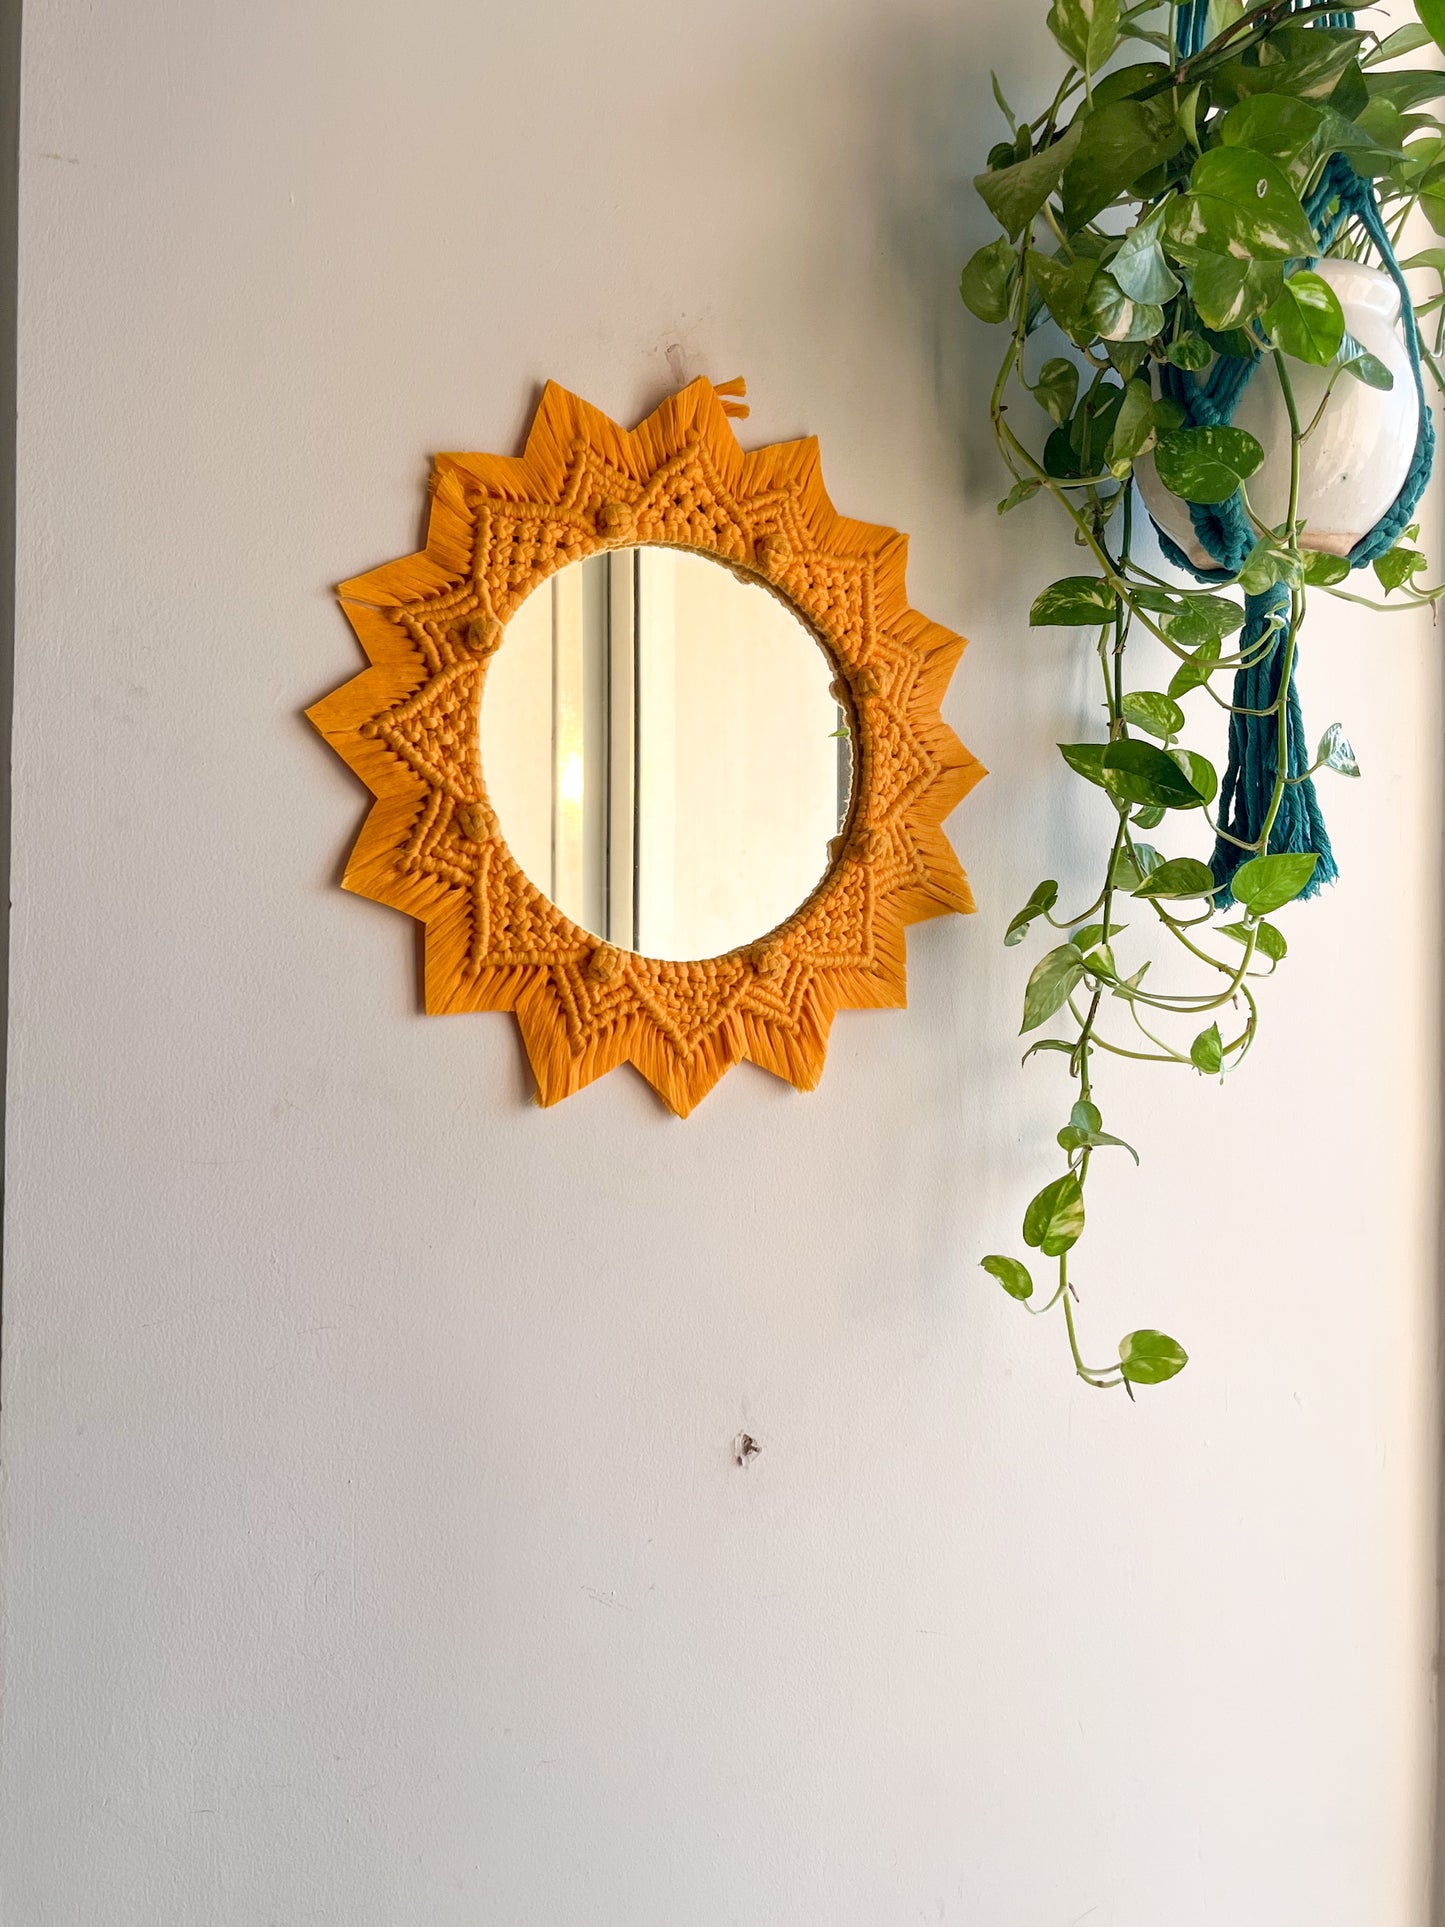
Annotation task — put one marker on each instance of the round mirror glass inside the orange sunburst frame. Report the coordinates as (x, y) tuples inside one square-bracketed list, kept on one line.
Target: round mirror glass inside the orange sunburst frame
[(664, 752)]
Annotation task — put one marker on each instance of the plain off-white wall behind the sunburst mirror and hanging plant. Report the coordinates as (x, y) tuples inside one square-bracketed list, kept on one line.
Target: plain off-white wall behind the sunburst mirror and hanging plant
[(371, 1537)]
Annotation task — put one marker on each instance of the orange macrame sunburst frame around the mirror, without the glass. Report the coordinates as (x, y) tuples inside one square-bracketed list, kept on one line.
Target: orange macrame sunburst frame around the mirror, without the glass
[(431, 845)]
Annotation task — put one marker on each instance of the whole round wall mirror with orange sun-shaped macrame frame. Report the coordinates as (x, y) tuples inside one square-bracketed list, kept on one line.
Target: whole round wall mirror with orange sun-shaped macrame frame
[(656, 749)]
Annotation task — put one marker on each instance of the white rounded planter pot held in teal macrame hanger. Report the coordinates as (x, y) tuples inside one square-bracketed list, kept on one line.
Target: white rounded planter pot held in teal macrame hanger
[(1353, 465)]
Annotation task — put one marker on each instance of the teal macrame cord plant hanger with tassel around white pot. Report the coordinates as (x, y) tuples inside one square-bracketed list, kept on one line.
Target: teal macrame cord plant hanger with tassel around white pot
[(1226, 535)]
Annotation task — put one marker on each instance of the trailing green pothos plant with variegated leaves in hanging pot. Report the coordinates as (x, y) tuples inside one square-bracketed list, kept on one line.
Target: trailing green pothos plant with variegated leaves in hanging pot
[(1170, 232)]
